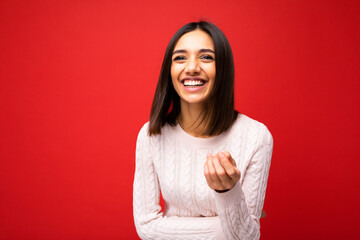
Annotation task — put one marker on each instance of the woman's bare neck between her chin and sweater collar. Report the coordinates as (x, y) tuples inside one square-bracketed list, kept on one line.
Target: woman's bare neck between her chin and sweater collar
[(191, 119)]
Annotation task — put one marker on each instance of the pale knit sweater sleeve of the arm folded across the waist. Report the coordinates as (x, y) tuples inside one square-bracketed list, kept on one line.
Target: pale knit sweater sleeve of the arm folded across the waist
[(150, 222)]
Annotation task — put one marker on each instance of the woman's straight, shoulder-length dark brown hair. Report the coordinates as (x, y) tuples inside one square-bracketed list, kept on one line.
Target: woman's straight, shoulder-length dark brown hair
[(220, 103)]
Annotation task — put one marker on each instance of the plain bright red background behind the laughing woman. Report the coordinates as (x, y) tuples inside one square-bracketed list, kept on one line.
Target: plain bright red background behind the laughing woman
[(76, 84)]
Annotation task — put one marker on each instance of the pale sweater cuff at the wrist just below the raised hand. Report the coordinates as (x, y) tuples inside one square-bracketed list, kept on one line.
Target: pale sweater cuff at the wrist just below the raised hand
[(229, 198)]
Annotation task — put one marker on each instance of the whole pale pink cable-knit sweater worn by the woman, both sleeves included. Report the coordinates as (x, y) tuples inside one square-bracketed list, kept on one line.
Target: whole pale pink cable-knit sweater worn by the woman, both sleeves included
[(173, 163)]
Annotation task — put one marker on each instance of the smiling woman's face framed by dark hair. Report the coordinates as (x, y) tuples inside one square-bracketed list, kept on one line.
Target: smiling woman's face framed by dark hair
[(193, 66)]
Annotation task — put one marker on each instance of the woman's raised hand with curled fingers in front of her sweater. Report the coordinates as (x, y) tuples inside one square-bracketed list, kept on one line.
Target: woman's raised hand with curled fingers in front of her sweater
[(221, 172)]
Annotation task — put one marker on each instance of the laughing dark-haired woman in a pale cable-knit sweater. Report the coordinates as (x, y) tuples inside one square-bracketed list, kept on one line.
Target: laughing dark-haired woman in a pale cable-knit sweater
[(210, 163)]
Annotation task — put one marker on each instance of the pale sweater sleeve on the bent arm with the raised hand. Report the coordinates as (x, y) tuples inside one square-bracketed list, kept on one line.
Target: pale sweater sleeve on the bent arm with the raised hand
[(240, 208)]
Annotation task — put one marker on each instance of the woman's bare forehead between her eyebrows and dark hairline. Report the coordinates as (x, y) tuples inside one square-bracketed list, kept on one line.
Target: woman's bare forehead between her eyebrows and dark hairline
[(195, 40)]
